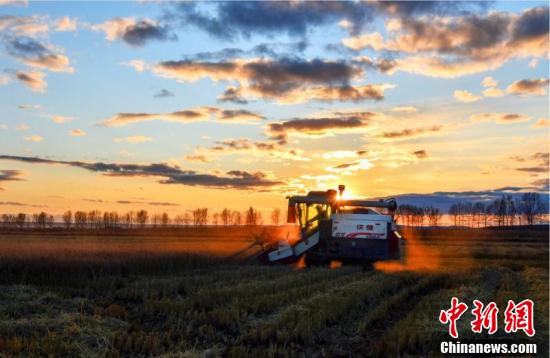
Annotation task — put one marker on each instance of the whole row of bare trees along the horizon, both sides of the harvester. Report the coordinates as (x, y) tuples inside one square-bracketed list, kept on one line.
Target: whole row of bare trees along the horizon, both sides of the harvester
[(504, 211)]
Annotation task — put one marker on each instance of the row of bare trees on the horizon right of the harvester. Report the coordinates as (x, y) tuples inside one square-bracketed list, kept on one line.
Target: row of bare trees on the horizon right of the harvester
[(529, 209)]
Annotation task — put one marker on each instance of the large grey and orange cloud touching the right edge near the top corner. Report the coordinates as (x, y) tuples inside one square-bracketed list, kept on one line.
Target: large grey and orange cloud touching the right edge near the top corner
[(453, 46)]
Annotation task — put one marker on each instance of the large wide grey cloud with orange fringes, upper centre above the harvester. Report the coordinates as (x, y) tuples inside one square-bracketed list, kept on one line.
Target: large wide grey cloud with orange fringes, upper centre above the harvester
[(282, 80)]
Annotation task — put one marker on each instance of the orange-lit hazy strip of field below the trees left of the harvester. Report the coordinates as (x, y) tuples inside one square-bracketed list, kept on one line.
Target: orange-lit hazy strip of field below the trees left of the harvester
[(122, 244)]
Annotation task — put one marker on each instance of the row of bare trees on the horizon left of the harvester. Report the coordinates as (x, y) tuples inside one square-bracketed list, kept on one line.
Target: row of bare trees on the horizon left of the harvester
[(96, 219)]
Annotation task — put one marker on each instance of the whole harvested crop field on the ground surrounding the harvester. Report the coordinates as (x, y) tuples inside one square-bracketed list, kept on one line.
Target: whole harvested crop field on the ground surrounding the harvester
[(199, 293)]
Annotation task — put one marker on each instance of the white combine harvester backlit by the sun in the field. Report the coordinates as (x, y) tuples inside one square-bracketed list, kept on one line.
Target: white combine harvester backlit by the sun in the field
[(332, 228)]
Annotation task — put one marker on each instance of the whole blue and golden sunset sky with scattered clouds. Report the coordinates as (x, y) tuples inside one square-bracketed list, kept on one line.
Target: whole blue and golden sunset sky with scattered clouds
[(170, 106)]
